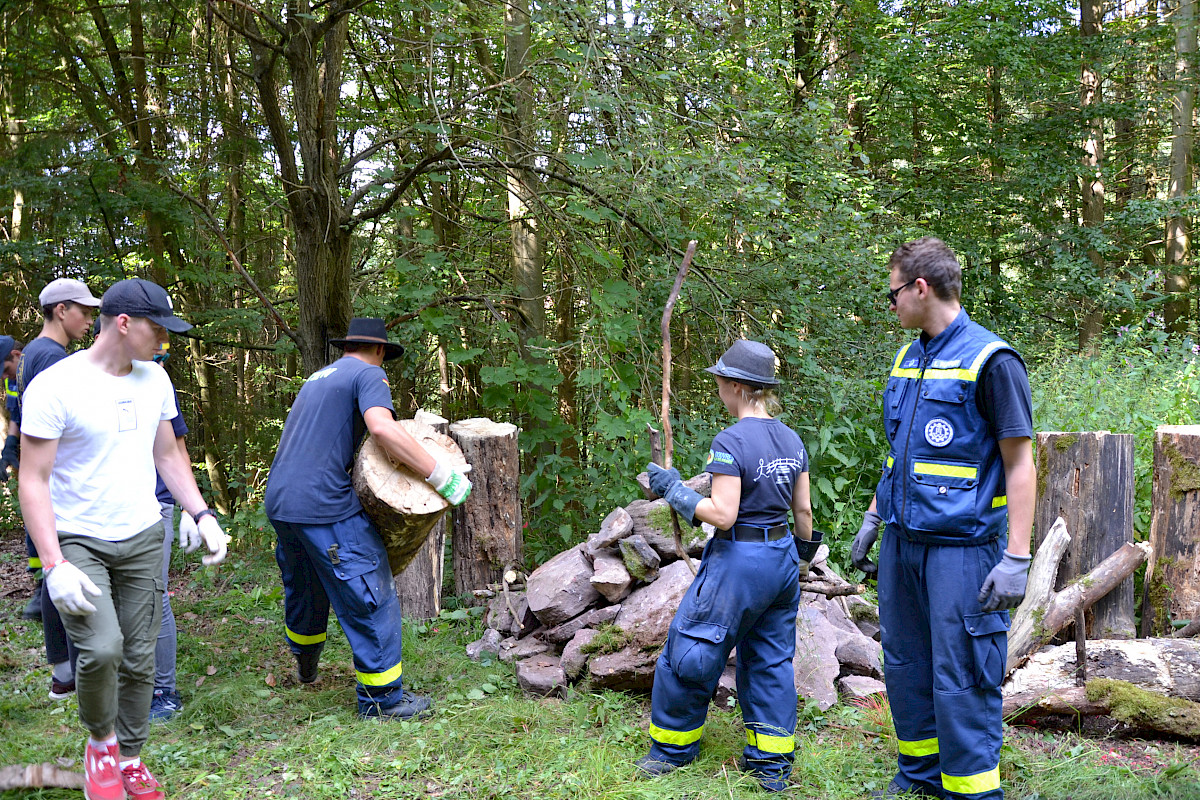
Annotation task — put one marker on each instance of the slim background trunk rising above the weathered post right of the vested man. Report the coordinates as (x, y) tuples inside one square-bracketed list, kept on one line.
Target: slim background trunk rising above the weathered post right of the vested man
[(1090, 28)]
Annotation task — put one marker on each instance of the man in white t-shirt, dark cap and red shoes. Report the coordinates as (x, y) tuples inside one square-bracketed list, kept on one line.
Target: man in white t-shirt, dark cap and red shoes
[(97, 426)]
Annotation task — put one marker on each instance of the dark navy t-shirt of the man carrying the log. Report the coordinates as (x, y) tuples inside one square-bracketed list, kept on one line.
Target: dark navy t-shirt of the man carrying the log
[(310, 478)]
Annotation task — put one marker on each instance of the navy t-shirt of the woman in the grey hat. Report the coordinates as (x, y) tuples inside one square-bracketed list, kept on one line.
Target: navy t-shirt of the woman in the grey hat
[(770, 458)]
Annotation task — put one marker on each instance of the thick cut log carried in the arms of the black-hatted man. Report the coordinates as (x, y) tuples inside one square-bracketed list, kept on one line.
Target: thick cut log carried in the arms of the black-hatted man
[(404, 508)]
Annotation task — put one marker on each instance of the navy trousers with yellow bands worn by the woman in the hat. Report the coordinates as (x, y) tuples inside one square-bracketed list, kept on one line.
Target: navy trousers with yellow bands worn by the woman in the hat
[(745, 596)]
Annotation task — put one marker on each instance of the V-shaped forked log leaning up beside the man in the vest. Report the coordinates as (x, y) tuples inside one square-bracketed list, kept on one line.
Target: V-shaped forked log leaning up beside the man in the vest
[(1045, 611)]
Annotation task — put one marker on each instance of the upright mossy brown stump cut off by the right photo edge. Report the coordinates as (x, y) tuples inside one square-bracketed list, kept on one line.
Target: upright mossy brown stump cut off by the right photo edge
[(1173, 579)]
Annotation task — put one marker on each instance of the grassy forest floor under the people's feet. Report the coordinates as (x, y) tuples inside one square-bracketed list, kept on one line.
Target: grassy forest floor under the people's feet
[(249, 730)]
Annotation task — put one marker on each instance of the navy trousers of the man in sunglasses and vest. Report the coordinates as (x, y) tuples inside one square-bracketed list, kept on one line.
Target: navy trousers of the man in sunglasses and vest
[(944, 665)]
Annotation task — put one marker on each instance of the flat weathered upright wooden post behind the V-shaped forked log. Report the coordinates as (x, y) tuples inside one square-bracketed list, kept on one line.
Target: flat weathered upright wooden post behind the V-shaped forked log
[(1088, 479)]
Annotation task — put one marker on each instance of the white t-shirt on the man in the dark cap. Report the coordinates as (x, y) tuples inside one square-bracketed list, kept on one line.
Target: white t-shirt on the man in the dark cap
[(104, 478)]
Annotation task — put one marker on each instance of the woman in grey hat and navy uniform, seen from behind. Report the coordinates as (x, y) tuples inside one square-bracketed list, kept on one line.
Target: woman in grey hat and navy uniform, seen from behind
[(746, 593)]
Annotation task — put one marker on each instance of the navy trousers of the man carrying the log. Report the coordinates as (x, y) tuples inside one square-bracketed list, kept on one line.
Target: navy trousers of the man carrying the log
[(344, 566)]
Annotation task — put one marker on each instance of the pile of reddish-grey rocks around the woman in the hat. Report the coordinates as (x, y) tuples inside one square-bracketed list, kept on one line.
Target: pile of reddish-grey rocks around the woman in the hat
[(601, 611)]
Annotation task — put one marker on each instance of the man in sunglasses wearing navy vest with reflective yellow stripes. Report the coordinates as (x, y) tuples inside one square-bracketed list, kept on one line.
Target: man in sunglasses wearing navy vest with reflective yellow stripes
[(957, 503)]
